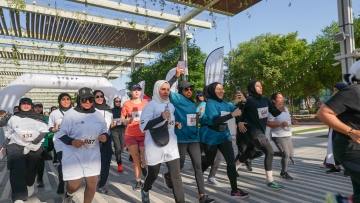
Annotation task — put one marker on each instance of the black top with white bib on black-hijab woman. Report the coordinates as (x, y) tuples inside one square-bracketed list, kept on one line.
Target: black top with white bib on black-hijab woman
[(256, 111)]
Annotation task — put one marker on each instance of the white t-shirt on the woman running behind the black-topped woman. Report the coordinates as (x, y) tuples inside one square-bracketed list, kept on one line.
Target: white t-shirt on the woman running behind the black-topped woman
[(281, 131)]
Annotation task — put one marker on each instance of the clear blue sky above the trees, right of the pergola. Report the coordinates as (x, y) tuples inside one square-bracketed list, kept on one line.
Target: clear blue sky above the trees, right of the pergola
[(307, 17)]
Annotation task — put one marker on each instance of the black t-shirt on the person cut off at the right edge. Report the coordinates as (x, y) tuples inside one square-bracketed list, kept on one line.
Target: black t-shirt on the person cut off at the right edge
[(346, 104)]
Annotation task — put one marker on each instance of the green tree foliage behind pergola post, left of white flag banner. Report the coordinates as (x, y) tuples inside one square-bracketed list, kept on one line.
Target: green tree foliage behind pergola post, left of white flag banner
[(158, 69)]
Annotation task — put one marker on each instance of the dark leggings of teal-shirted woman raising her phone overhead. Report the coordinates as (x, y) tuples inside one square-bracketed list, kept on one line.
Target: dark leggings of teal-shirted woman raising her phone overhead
[(195, 155)]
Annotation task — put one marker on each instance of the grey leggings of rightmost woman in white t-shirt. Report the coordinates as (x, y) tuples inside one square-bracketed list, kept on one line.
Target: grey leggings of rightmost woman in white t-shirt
[(285, 146)]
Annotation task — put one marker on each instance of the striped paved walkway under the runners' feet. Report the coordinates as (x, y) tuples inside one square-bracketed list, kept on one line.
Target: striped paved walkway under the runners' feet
[(310, 182)]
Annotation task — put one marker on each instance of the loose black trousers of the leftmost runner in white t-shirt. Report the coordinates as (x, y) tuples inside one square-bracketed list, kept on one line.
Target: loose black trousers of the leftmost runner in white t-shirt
[(23, 170)]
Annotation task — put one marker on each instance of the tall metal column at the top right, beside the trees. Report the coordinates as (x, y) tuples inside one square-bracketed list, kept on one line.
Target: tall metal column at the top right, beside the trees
[(346, 26)]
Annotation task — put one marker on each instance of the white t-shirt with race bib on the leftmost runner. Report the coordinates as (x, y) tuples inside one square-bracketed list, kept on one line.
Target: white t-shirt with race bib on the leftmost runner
[(23, 131)]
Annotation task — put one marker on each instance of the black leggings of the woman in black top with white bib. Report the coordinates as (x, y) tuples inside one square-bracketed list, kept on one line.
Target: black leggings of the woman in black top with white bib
[(255, 145)]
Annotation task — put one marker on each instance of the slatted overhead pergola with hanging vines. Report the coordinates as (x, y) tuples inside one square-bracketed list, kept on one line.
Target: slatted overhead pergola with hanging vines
[(95, 37)]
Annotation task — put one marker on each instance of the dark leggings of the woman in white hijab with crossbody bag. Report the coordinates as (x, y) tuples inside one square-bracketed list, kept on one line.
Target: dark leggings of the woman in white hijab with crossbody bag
[(174, 168)]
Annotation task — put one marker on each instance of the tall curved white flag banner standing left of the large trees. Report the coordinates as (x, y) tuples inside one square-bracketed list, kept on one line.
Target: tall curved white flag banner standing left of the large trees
[(214, 67)]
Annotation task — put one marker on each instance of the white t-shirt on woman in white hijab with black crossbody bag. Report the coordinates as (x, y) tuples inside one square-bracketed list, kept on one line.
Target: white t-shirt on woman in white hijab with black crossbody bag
[(153, 153)]
